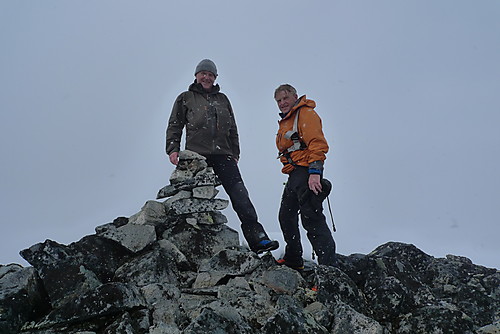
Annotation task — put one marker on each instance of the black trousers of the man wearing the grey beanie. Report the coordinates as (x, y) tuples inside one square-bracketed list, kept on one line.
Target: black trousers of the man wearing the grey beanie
[(226, 169)]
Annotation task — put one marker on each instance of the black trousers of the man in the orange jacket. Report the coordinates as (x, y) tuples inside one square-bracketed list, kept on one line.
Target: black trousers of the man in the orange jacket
[(312, 218)]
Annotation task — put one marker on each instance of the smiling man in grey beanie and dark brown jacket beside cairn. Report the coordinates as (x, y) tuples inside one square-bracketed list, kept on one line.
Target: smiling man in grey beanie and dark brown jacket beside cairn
[(211, 131)]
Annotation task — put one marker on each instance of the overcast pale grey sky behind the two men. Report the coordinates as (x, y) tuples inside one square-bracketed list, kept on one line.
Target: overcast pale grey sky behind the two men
[(407, 90)]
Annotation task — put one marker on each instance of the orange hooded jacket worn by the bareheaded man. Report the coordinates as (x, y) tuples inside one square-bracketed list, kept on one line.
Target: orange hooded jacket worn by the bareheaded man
[(310, 132)]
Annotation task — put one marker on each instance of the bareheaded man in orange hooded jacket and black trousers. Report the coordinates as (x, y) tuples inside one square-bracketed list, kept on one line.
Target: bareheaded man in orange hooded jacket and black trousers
[(302, 147)]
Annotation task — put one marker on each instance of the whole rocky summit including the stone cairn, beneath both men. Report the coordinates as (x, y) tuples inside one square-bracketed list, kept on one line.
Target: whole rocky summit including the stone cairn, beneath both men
[(176, 267)]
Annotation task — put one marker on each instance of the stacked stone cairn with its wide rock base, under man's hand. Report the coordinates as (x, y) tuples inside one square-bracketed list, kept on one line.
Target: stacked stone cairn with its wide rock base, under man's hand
[(189, 220)]
